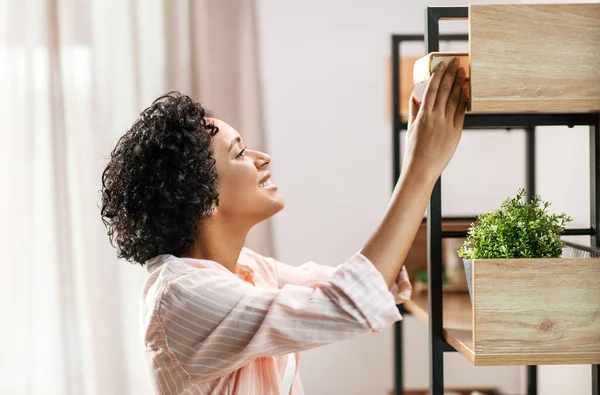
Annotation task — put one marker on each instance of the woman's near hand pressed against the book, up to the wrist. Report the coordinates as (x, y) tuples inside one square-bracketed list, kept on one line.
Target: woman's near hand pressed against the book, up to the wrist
[(435, 127)]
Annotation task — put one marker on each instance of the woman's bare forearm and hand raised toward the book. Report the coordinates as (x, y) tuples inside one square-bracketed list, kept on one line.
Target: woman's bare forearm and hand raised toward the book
[(431, 141)]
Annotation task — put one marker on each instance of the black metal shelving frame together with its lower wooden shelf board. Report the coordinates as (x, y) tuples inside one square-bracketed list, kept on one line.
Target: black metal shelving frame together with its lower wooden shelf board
[(449, 316)]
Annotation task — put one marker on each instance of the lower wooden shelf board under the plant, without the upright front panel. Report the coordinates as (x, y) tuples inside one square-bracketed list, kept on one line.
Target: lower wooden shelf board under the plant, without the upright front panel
[(458, 332)]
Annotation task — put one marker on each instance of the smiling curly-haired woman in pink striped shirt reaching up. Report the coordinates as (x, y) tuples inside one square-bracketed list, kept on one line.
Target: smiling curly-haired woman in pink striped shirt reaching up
[(181, 192)]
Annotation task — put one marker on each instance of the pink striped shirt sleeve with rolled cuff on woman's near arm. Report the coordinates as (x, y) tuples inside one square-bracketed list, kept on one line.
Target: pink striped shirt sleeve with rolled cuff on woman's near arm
[(215, 323)]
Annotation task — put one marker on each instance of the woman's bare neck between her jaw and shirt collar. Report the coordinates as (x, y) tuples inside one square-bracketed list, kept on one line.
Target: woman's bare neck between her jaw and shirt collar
[(220, 241)]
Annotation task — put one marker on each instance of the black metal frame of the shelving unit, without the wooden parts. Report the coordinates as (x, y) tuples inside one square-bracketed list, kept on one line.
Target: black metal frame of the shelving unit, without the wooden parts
[(527, 122)]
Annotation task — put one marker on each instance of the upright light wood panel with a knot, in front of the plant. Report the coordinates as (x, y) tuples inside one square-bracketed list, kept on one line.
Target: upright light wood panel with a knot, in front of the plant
[(537, 306)]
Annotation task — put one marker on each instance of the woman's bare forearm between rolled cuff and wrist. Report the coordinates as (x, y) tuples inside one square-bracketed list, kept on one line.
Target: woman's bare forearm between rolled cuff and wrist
[(389, 245)]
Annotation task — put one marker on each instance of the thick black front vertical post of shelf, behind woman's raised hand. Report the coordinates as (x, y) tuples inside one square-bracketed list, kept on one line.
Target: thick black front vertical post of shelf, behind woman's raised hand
[(434, 249)]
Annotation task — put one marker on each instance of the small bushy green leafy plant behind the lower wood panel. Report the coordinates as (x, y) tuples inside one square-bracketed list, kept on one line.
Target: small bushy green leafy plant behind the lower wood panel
[(516, 230)]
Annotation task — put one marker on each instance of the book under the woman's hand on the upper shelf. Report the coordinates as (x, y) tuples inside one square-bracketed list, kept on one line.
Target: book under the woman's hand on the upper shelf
[(423, 68)]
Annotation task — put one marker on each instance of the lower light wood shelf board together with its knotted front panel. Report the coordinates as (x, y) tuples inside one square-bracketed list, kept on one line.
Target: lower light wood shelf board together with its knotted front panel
[(526, 312)]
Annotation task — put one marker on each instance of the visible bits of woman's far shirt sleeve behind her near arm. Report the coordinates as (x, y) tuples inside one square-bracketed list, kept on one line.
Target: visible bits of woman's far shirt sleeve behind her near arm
[(311, 273)]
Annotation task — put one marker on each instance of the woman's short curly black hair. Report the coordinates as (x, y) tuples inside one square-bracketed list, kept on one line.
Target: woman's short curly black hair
[(159, 180)]
